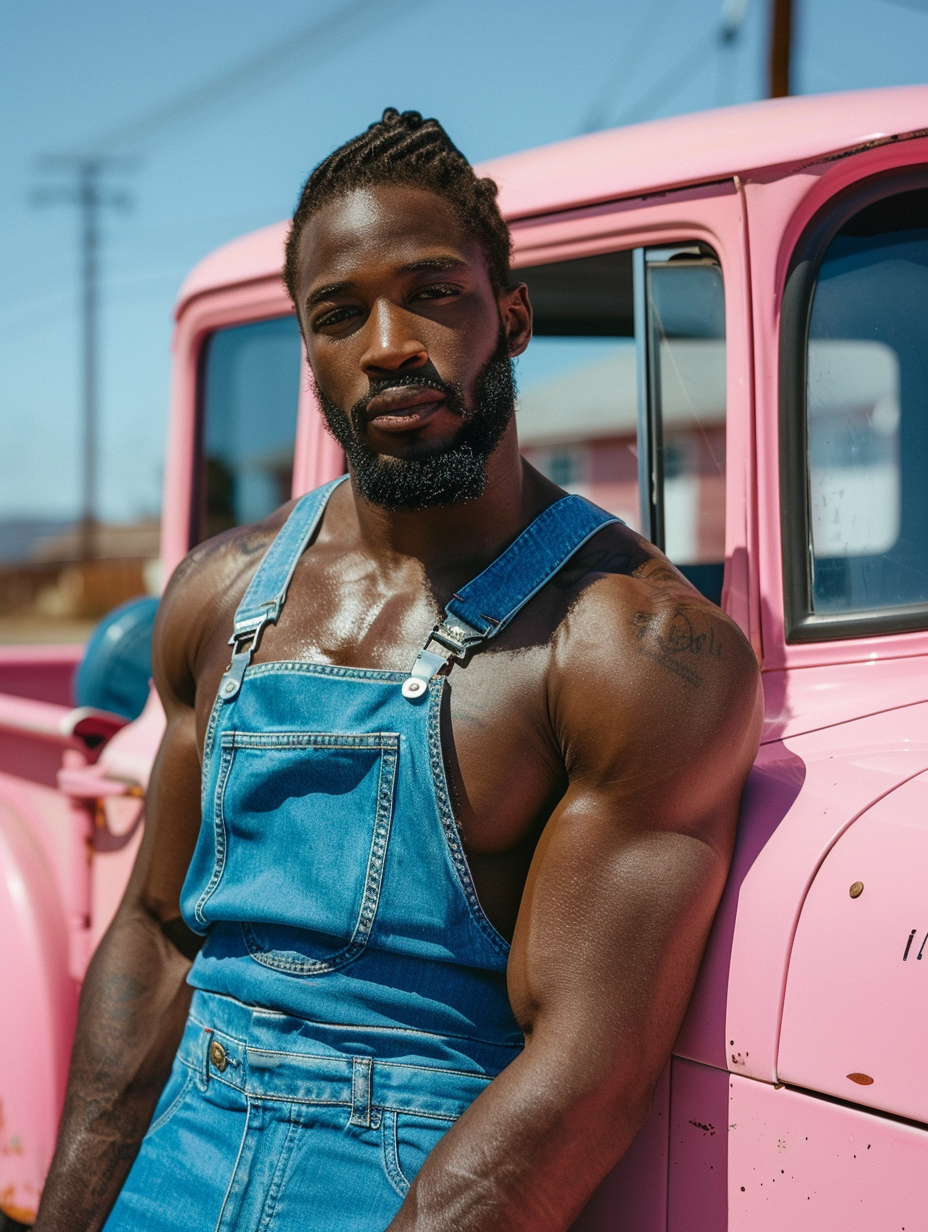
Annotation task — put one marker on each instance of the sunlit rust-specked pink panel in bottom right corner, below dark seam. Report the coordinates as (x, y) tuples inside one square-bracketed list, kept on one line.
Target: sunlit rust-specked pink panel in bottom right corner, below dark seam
[(805, 1165)]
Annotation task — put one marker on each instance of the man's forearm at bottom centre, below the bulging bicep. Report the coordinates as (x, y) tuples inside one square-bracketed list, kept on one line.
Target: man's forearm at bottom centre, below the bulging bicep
[(528, 1154)]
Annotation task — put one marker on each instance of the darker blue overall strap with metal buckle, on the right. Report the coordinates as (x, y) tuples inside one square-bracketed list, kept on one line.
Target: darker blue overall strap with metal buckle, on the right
[(485, 607)]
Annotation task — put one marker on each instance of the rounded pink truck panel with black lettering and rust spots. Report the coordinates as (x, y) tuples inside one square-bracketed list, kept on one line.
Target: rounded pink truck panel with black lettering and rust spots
[(857, 992)]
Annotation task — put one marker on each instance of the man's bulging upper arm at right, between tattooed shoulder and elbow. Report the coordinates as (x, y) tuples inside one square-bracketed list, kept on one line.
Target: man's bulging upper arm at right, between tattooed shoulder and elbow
[(609, 938)]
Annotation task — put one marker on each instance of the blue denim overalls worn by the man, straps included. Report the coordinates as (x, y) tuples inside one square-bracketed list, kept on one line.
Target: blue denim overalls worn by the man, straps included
[(351, 996)]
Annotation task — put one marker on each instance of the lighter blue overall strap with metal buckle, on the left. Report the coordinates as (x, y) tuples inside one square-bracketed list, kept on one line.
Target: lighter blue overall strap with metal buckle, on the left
[(263, 603)]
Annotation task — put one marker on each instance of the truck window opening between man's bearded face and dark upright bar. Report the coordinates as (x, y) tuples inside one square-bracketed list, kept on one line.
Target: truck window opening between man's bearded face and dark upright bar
[(577, 410)]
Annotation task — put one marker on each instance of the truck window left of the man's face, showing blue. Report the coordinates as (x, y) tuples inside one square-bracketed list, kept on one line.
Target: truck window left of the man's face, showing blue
[(250, 390)]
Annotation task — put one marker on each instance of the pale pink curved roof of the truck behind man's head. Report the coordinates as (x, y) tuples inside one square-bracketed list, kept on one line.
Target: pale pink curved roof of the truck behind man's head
[(643, 158)]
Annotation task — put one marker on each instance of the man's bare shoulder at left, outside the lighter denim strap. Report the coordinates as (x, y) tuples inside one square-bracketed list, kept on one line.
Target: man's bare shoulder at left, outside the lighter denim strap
[(200, 602)]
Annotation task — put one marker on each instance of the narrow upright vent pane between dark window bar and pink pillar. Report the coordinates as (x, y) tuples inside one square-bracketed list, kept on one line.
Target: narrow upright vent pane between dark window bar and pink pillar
[(681, 349)]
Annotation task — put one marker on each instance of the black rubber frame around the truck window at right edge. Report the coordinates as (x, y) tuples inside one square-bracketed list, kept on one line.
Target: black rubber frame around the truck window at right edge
[(802, 624)]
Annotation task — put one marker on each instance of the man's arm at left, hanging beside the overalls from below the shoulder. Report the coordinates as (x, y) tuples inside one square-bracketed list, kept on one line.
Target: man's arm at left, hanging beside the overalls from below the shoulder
[(135, 1000)]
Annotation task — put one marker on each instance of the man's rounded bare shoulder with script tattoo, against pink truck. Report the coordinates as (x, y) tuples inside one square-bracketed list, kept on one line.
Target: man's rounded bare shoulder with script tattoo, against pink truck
[(651, 678)]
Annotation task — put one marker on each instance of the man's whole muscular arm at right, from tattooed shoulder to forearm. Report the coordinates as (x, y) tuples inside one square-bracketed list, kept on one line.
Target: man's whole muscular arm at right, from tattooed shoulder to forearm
[(660, 723)]
